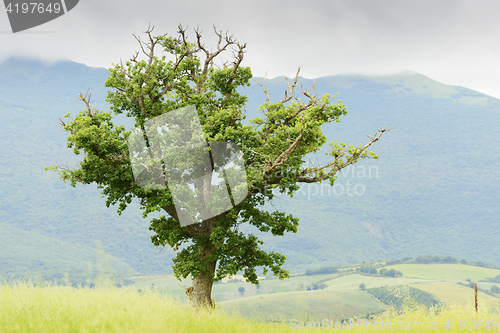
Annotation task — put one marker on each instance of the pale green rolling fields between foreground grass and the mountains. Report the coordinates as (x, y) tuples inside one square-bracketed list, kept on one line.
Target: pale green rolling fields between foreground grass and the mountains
[(340, 296)]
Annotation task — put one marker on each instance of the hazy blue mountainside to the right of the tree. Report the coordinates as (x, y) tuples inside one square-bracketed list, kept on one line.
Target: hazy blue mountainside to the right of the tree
[(434, 188)]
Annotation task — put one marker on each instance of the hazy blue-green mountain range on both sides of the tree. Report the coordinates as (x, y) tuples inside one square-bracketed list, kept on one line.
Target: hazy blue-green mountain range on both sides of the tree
[(434, 189)]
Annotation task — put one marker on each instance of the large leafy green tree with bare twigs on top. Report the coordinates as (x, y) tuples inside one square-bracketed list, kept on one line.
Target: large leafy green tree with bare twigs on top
[(273, 148)]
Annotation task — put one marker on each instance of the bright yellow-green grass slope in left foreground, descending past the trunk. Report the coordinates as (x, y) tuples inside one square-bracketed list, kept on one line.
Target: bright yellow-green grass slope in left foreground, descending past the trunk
[(24, 308)]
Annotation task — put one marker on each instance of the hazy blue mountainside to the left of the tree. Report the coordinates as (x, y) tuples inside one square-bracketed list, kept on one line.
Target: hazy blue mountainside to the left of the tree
[(33, 96)]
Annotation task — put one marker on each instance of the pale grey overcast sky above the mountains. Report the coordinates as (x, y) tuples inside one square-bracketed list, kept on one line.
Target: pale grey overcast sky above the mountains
[(452, 41)]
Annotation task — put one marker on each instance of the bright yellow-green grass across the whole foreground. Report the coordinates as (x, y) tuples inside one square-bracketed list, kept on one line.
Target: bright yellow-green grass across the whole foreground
[(24, 308)]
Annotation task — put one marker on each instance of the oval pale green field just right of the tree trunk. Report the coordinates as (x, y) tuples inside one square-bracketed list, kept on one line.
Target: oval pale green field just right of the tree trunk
[(305, 304)]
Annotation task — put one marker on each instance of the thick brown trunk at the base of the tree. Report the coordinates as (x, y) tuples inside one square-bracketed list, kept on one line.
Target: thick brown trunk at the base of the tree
[(200, 294)]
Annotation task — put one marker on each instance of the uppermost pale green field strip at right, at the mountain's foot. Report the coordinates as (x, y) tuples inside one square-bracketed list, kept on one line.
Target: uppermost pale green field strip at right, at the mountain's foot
[(453, 272)]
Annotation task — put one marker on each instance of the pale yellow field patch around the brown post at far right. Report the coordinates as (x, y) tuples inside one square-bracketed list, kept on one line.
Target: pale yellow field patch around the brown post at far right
[(452, 294)]
